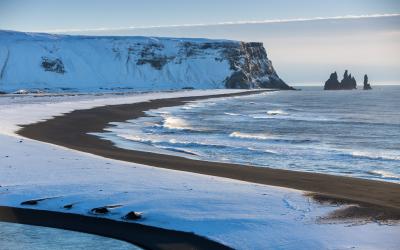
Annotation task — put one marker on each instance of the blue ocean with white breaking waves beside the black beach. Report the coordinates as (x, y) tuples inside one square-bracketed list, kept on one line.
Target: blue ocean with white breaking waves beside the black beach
[(352, 133)]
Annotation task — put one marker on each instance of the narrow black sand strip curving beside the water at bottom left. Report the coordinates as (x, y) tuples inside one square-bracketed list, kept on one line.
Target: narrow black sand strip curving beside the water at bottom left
[(147, 237)]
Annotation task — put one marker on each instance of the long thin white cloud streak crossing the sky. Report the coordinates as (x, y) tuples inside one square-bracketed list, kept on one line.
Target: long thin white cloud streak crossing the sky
[(268, 21)]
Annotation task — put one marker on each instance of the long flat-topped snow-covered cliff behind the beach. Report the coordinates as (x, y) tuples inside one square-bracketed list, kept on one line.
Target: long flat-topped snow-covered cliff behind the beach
[(90, 63)]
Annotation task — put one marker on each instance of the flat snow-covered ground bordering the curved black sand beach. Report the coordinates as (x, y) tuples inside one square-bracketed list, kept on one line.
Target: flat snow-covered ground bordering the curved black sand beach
[(239, 214)]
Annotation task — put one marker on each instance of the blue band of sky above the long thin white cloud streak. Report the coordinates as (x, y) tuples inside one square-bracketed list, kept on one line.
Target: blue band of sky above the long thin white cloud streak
[(32, 15)]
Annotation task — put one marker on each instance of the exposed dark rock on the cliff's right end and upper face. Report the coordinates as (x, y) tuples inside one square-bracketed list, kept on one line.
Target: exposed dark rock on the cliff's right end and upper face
[(248, 61)]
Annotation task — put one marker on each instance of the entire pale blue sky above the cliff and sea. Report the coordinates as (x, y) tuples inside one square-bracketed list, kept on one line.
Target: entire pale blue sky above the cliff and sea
[(306, 40)]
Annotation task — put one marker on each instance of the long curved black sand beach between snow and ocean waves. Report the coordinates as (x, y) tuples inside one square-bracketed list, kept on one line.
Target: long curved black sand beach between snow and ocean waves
[(76, 125)]
